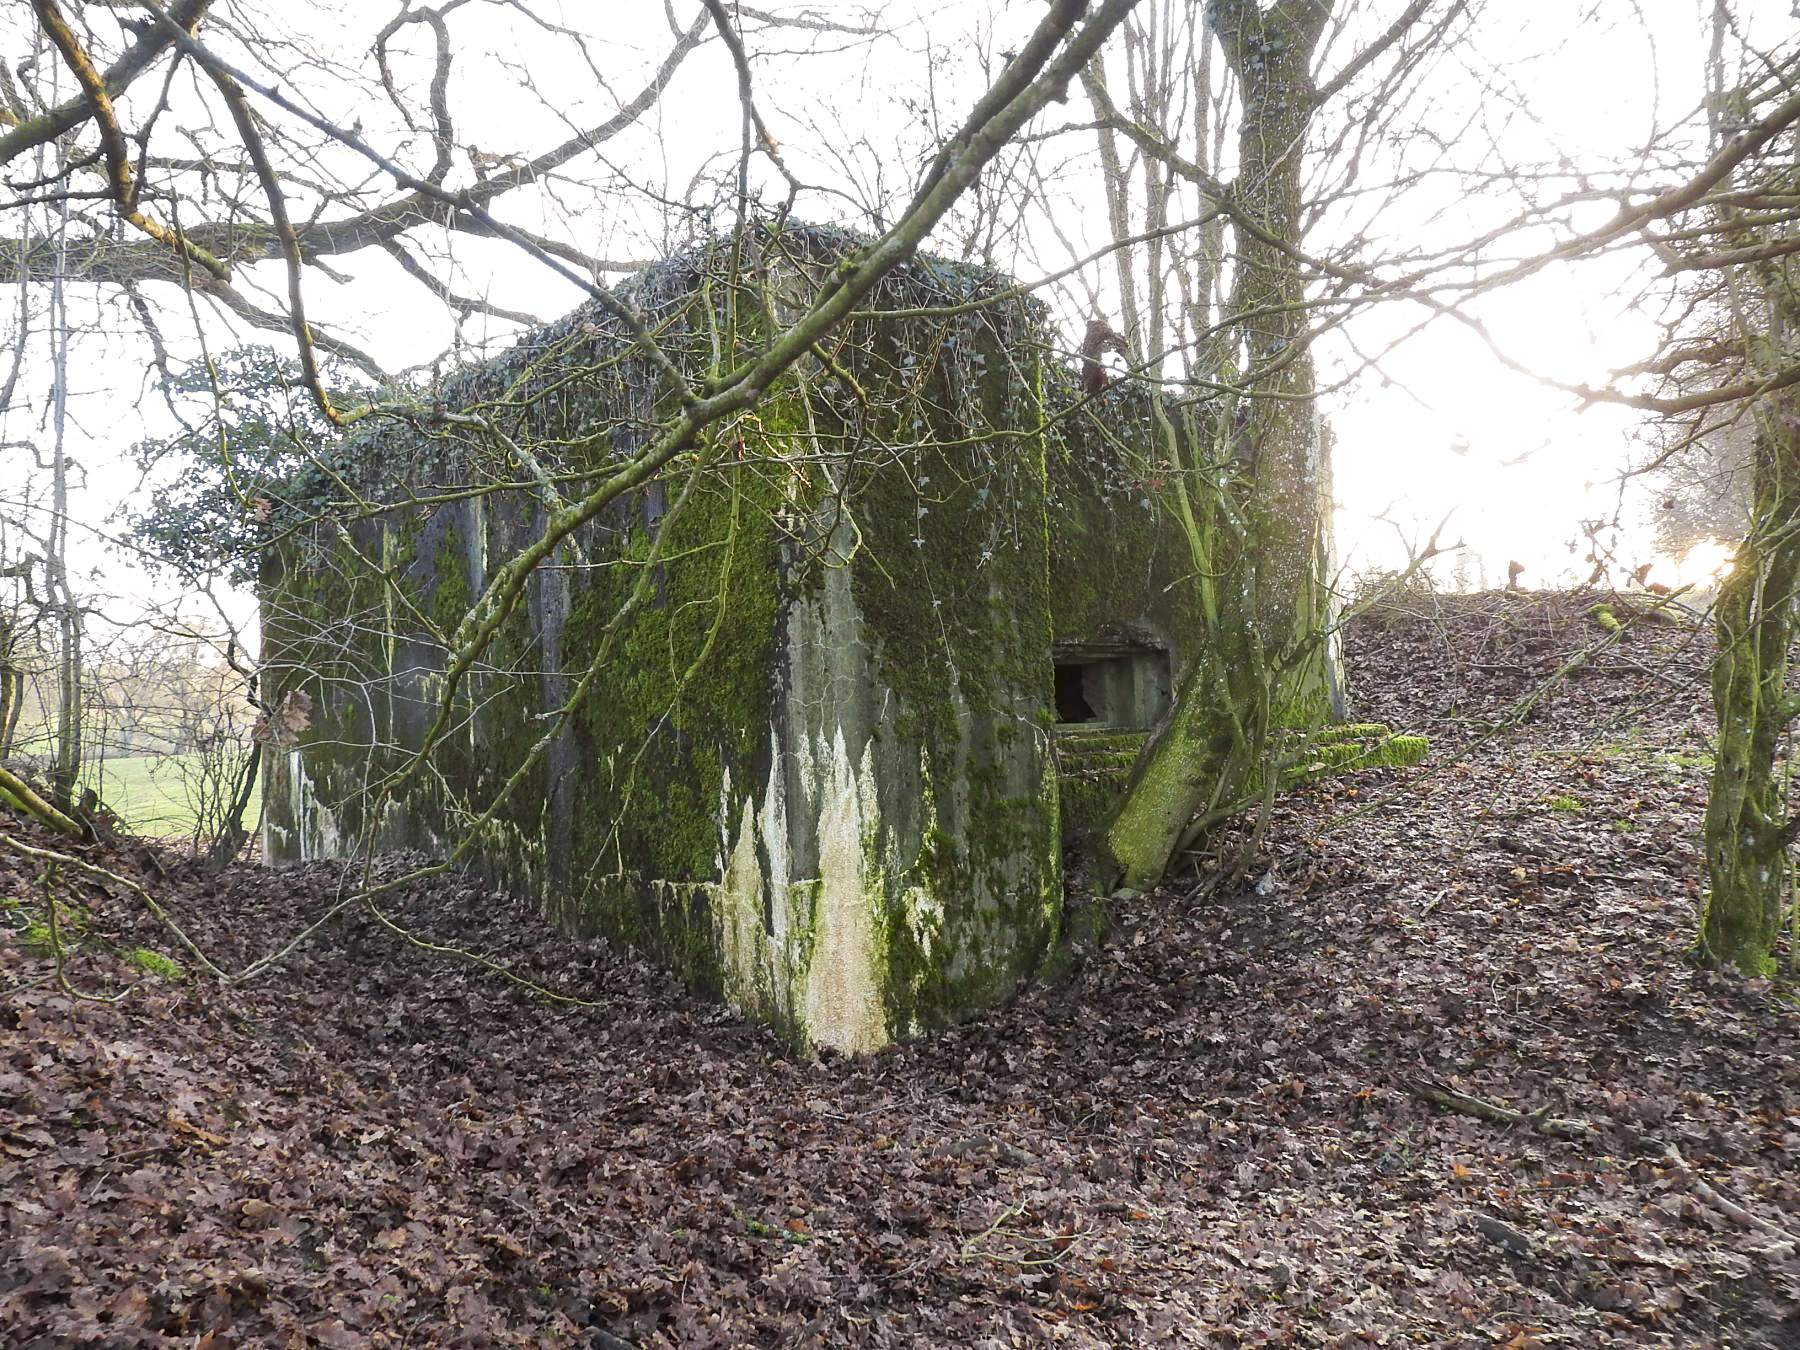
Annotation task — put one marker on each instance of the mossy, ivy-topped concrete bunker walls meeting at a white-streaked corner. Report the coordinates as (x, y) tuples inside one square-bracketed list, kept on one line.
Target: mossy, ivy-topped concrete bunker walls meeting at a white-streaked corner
[(811, 755)]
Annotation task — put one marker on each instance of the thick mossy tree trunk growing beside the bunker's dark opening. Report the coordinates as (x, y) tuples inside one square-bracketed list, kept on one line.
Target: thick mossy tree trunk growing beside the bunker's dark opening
[(1250, 483)]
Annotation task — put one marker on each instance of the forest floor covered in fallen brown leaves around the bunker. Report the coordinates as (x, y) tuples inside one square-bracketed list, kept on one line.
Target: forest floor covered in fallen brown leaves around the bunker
[(1212, 1135)]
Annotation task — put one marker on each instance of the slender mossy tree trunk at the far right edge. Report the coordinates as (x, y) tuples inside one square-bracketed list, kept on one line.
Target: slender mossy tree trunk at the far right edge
[(1747, 827)]
